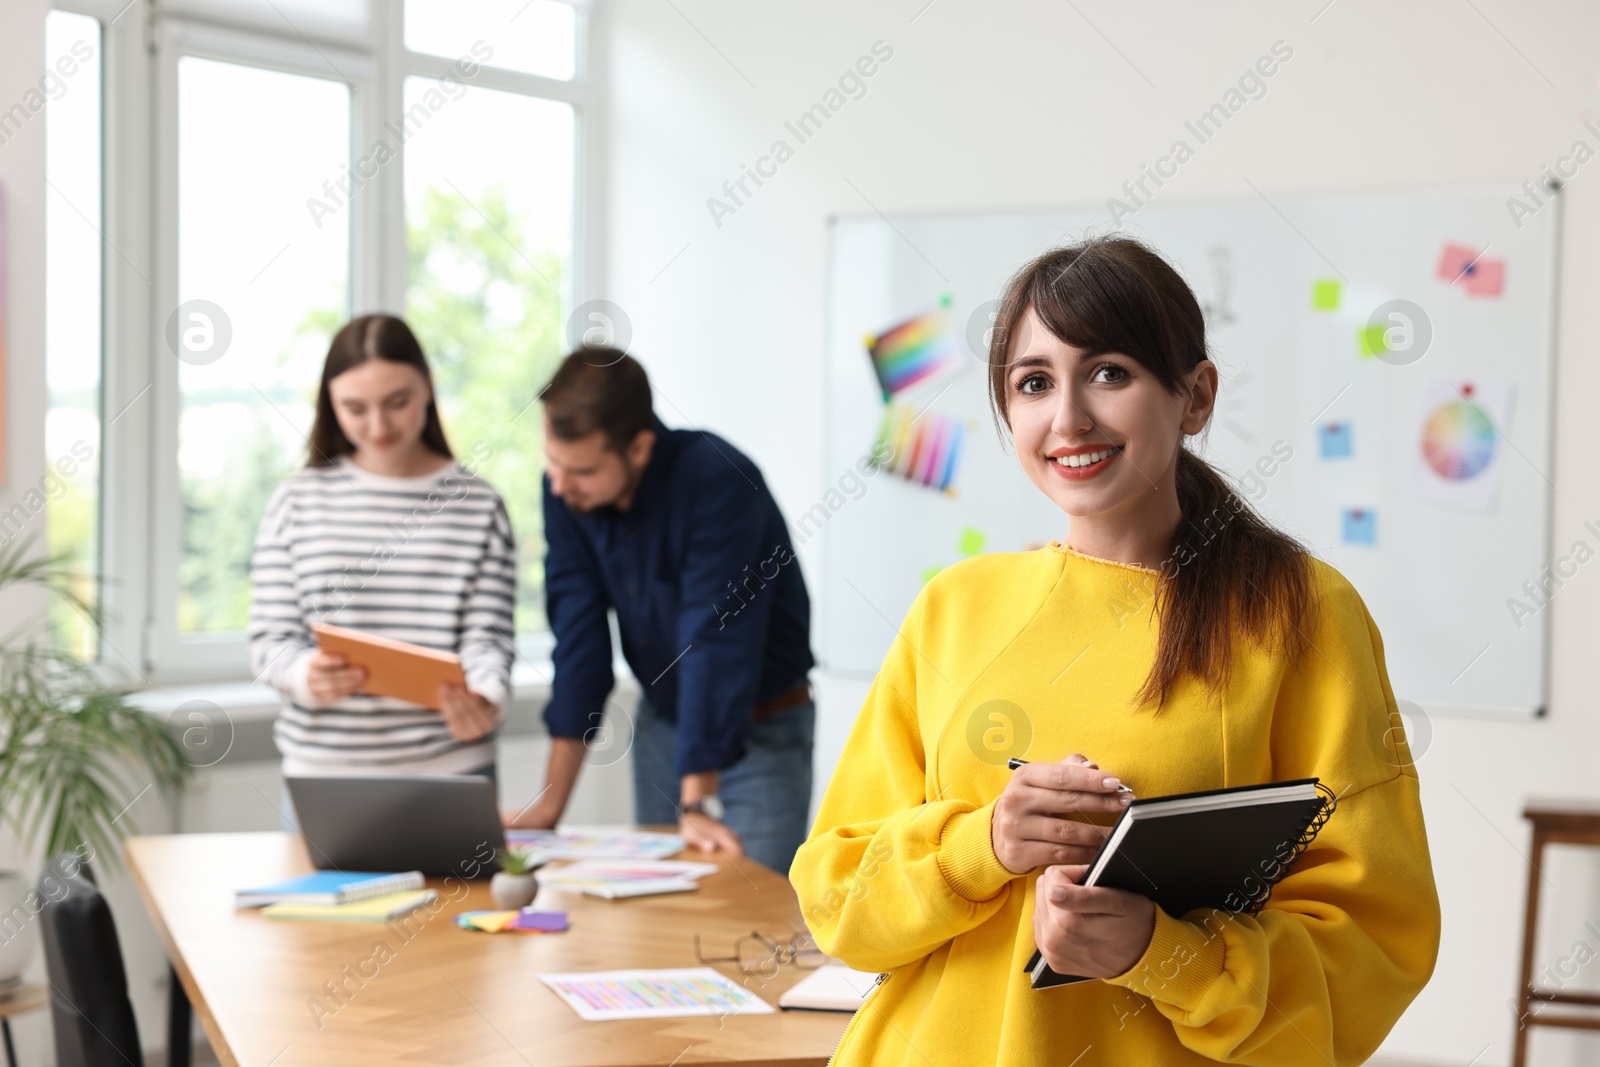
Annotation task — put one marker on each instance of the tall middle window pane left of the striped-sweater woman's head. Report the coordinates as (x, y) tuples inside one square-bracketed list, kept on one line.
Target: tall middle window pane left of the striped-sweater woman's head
[(262, 289)]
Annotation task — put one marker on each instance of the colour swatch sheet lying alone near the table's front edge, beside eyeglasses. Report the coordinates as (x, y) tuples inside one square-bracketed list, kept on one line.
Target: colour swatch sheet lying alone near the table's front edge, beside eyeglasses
[(606, 996)]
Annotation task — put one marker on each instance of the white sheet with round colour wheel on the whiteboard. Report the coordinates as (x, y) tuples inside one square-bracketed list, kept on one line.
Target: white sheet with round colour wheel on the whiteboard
[(1462, 442)]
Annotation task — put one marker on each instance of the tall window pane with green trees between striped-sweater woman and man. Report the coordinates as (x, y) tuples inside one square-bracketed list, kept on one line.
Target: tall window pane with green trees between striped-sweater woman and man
[(490, 233)]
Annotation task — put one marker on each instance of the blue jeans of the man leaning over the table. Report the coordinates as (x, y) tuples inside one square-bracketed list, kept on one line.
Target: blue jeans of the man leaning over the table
[(767, 796)]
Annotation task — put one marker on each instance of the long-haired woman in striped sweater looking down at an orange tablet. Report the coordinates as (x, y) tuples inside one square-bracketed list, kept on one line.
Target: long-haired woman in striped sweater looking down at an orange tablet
[(383, 532)]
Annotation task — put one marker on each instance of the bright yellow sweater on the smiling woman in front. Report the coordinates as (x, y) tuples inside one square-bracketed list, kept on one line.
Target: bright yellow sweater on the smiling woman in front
[(1039, 655)]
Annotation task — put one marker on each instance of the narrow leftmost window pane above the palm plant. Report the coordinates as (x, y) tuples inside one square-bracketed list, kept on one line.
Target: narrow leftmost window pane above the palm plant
[(73, 318)]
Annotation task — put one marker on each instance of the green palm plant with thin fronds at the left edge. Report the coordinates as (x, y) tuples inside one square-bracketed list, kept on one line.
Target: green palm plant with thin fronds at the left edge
[(74, 753)]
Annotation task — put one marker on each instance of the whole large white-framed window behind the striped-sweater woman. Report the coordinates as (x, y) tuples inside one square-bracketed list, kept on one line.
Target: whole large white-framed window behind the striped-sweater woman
[(255, 130)]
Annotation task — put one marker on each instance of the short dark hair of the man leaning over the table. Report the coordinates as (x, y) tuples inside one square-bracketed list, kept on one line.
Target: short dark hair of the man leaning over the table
[(599, 390)]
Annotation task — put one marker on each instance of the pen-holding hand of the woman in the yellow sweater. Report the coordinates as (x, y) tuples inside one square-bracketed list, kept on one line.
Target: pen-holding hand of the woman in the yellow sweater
[(1028, 829)]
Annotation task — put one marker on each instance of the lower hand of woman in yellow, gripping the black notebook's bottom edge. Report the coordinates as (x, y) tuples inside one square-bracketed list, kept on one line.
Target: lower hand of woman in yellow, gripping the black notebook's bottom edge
[(1092, 932)]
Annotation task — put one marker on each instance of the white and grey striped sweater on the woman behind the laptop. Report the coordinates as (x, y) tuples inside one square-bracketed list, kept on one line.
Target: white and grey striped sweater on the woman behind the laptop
[(428, 561)]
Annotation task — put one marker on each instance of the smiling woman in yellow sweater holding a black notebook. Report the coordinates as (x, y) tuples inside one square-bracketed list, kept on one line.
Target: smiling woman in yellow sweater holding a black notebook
[(1175, 642)]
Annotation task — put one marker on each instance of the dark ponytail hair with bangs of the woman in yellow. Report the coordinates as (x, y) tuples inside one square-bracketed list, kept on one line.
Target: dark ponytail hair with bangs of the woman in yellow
[(1226, 567)]
